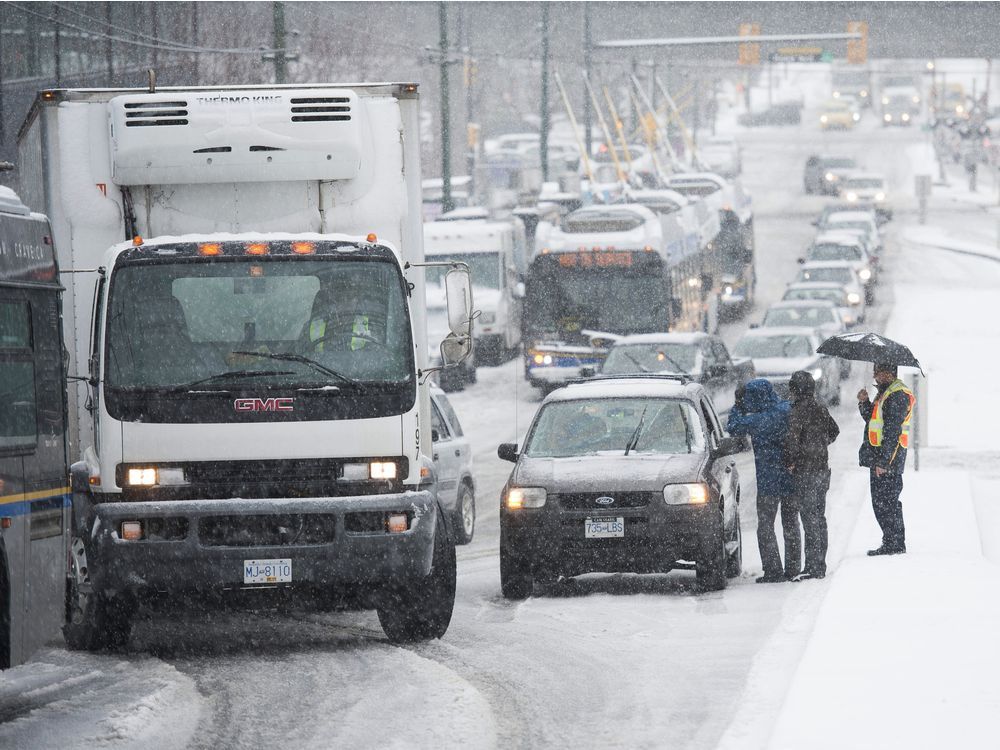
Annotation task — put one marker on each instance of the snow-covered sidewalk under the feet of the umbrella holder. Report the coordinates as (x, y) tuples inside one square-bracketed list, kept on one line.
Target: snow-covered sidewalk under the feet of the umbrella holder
[(904, 651)]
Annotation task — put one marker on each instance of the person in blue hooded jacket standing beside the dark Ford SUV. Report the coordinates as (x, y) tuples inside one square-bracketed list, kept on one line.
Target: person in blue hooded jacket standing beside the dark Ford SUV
[(762, 415)]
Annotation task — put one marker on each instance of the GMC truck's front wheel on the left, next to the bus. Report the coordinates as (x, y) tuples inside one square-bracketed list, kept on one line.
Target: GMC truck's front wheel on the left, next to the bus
[(94, 620)]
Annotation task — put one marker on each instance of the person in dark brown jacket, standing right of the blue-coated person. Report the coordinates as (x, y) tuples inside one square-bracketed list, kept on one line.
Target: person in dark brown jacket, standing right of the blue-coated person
[(810, 430)]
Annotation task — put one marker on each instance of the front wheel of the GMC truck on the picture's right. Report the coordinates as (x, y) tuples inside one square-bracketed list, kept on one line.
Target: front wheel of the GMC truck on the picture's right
[(420, 609)]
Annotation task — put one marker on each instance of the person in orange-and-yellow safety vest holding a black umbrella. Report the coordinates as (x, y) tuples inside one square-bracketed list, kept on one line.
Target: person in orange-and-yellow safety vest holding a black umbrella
[(883, 451)]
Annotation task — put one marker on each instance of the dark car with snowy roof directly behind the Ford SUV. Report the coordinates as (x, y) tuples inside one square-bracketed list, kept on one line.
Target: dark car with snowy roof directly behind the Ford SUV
[(702, 356)]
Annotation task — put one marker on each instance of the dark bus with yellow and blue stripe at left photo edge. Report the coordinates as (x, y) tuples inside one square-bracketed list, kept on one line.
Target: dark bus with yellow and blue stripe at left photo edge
[(34, 496)]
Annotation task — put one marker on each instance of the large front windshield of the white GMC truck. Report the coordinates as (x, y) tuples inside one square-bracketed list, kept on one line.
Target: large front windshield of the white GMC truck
[(207, 324)]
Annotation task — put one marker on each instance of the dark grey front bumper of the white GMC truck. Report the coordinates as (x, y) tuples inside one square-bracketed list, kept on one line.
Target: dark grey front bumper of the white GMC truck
[(205, 545)]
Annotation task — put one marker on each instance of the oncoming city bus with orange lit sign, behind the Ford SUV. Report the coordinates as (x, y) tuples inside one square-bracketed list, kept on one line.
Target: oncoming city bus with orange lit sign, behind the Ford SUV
[(609, 271)]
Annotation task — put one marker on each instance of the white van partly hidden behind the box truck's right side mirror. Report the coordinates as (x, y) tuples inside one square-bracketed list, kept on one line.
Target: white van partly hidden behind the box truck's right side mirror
[(495, 253)]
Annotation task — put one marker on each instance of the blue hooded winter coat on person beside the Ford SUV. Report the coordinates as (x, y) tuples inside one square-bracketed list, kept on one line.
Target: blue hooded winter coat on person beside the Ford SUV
[(763, 416)]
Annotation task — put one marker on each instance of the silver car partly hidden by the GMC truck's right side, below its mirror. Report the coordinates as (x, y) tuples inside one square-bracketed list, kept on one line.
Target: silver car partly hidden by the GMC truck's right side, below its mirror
[(453, 464)]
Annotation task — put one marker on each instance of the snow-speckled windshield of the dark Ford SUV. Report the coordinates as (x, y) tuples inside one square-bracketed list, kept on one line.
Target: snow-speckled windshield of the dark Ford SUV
[(589, 426)]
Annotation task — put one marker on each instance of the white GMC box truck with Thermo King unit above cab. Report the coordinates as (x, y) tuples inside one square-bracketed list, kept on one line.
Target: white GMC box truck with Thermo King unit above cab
[(245, 317)]
